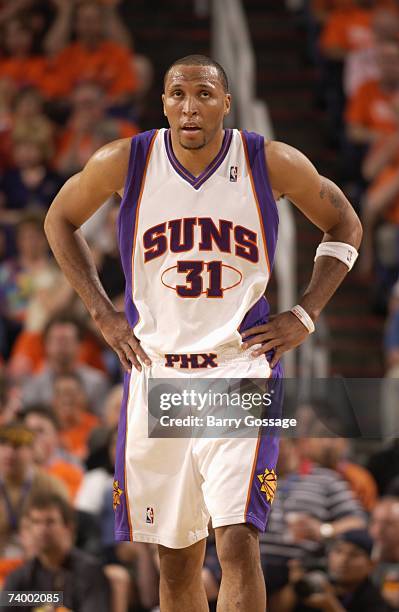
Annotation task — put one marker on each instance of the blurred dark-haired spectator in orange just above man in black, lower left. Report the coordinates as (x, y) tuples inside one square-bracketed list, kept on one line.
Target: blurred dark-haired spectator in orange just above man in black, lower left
[(47, 451)]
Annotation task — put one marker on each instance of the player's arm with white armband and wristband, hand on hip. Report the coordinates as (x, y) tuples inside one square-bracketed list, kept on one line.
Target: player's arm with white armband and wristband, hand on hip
[(293, 176)]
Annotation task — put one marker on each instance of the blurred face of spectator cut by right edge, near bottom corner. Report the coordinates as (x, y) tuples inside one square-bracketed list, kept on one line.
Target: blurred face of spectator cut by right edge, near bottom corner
[(384, 527)]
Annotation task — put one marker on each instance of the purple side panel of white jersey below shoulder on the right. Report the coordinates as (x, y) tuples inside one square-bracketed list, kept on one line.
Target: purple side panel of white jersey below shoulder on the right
[(268, 207)]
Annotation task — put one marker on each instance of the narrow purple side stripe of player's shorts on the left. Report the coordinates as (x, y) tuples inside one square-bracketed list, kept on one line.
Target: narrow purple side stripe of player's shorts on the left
[(122, 519)]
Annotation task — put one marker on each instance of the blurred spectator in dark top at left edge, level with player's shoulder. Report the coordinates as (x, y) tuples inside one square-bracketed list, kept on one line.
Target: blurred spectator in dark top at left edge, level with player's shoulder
[(31, 184)]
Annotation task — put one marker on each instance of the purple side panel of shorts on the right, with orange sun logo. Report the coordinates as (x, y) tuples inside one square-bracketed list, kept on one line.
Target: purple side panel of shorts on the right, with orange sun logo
[(259, 506)]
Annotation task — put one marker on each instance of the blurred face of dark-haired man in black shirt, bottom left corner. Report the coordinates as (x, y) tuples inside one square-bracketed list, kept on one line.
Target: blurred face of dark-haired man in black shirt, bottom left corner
[(48, 530)]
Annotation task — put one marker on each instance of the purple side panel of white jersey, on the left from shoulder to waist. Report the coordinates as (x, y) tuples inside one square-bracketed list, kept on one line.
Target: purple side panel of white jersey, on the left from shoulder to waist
[(127, 214)]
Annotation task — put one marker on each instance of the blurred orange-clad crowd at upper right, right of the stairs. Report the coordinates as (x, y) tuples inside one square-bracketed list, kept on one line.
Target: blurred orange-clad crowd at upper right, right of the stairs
[(354, 45)]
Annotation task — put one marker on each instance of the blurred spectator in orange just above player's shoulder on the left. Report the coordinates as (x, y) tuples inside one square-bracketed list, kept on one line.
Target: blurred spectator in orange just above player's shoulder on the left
[(88, 129)]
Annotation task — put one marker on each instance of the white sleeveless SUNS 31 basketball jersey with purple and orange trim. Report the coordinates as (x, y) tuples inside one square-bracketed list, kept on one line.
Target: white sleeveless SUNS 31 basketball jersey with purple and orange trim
[(197, 252)]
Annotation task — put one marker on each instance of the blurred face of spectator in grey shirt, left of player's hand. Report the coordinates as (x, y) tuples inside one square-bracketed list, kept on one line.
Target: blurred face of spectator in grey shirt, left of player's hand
[(62, 344)]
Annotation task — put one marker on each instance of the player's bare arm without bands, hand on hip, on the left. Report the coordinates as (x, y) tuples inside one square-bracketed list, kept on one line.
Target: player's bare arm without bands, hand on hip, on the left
[(77, 201)]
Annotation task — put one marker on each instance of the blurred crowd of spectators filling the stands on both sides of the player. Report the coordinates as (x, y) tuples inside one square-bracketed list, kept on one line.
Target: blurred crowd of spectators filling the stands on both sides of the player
[(70, 81)]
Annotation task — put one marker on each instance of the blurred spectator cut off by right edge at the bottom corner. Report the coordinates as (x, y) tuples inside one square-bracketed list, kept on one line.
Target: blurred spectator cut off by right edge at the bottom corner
[(384, 528)]
